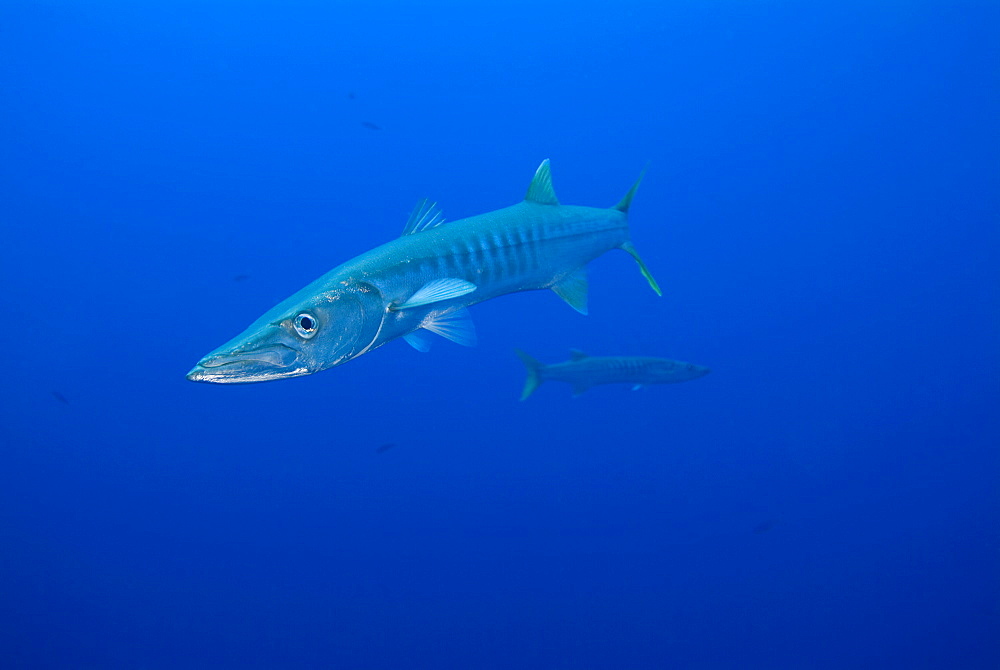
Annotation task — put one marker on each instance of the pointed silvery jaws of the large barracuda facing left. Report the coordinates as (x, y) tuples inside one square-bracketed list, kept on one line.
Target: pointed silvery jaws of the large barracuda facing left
[(275, 361)]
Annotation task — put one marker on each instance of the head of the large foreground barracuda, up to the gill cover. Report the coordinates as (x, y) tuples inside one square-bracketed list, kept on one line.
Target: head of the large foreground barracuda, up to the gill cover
[(311, 331)]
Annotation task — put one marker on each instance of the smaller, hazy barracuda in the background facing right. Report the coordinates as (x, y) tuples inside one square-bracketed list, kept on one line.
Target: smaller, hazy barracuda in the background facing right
[(583, 371)]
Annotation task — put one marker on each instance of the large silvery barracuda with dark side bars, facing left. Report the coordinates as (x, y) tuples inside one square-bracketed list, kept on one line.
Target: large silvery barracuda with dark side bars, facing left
[(422, 282)]
